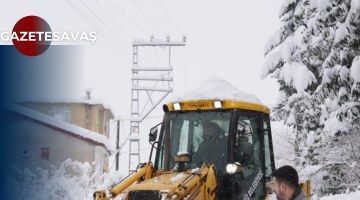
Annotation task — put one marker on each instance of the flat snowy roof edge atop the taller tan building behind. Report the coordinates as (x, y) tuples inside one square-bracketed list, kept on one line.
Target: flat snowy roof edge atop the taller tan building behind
[(83, 100)]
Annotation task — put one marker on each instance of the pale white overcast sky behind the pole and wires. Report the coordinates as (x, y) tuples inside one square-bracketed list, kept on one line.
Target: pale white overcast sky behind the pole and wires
[(224, 38)]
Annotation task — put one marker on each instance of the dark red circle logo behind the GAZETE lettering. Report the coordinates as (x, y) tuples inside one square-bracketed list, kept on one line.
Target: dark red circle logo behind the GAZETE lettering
[(31, 36)]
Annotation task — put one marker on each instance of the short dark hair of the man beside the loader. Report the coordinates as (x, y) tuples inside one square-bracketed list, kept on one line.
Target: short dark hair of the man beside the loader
[(288, 175)]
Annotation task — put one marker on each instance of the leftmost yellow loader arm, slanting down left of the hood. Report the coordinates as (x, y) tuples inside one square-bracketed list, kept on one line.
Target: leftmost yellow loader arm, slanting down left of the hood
[(144, 170)]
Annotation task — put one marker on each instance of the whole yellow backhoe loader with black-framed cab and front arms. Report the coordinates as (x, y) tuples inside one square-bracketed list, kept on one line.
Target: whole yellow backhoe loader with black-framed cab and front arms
[(207, 149)]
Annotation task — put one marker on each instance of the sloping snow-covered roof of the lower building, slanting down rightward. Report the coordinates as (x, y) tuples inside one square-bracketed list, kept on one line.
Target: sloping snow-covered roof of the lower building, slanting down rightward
[(84, 134)]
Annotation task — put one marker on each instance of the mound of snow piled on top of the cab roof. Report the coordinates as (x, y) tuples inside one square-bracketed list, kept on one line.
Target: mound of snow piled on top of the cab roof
[(216, 88)]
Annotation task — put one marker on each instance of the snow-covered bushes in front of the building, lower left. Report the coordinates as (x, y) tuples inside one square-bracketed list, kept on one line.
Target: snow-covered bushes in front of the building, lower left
[(72, 180)]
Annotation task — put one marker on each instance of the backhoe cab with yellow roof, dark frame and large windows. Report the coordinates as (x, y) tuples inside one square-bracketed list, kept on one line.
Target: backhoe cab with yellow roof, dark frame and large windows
[(234, 136)]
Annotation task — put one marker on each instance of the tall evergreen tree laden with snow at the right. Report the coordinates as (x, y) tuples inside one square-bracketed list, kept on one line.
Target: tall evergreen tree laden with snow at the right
[(315, 56)]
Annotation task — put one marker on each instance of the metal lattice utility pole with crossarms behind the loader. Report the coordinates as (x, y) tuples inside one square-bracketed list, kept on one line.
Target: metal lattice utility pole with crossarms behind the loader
[(141, 82)]
